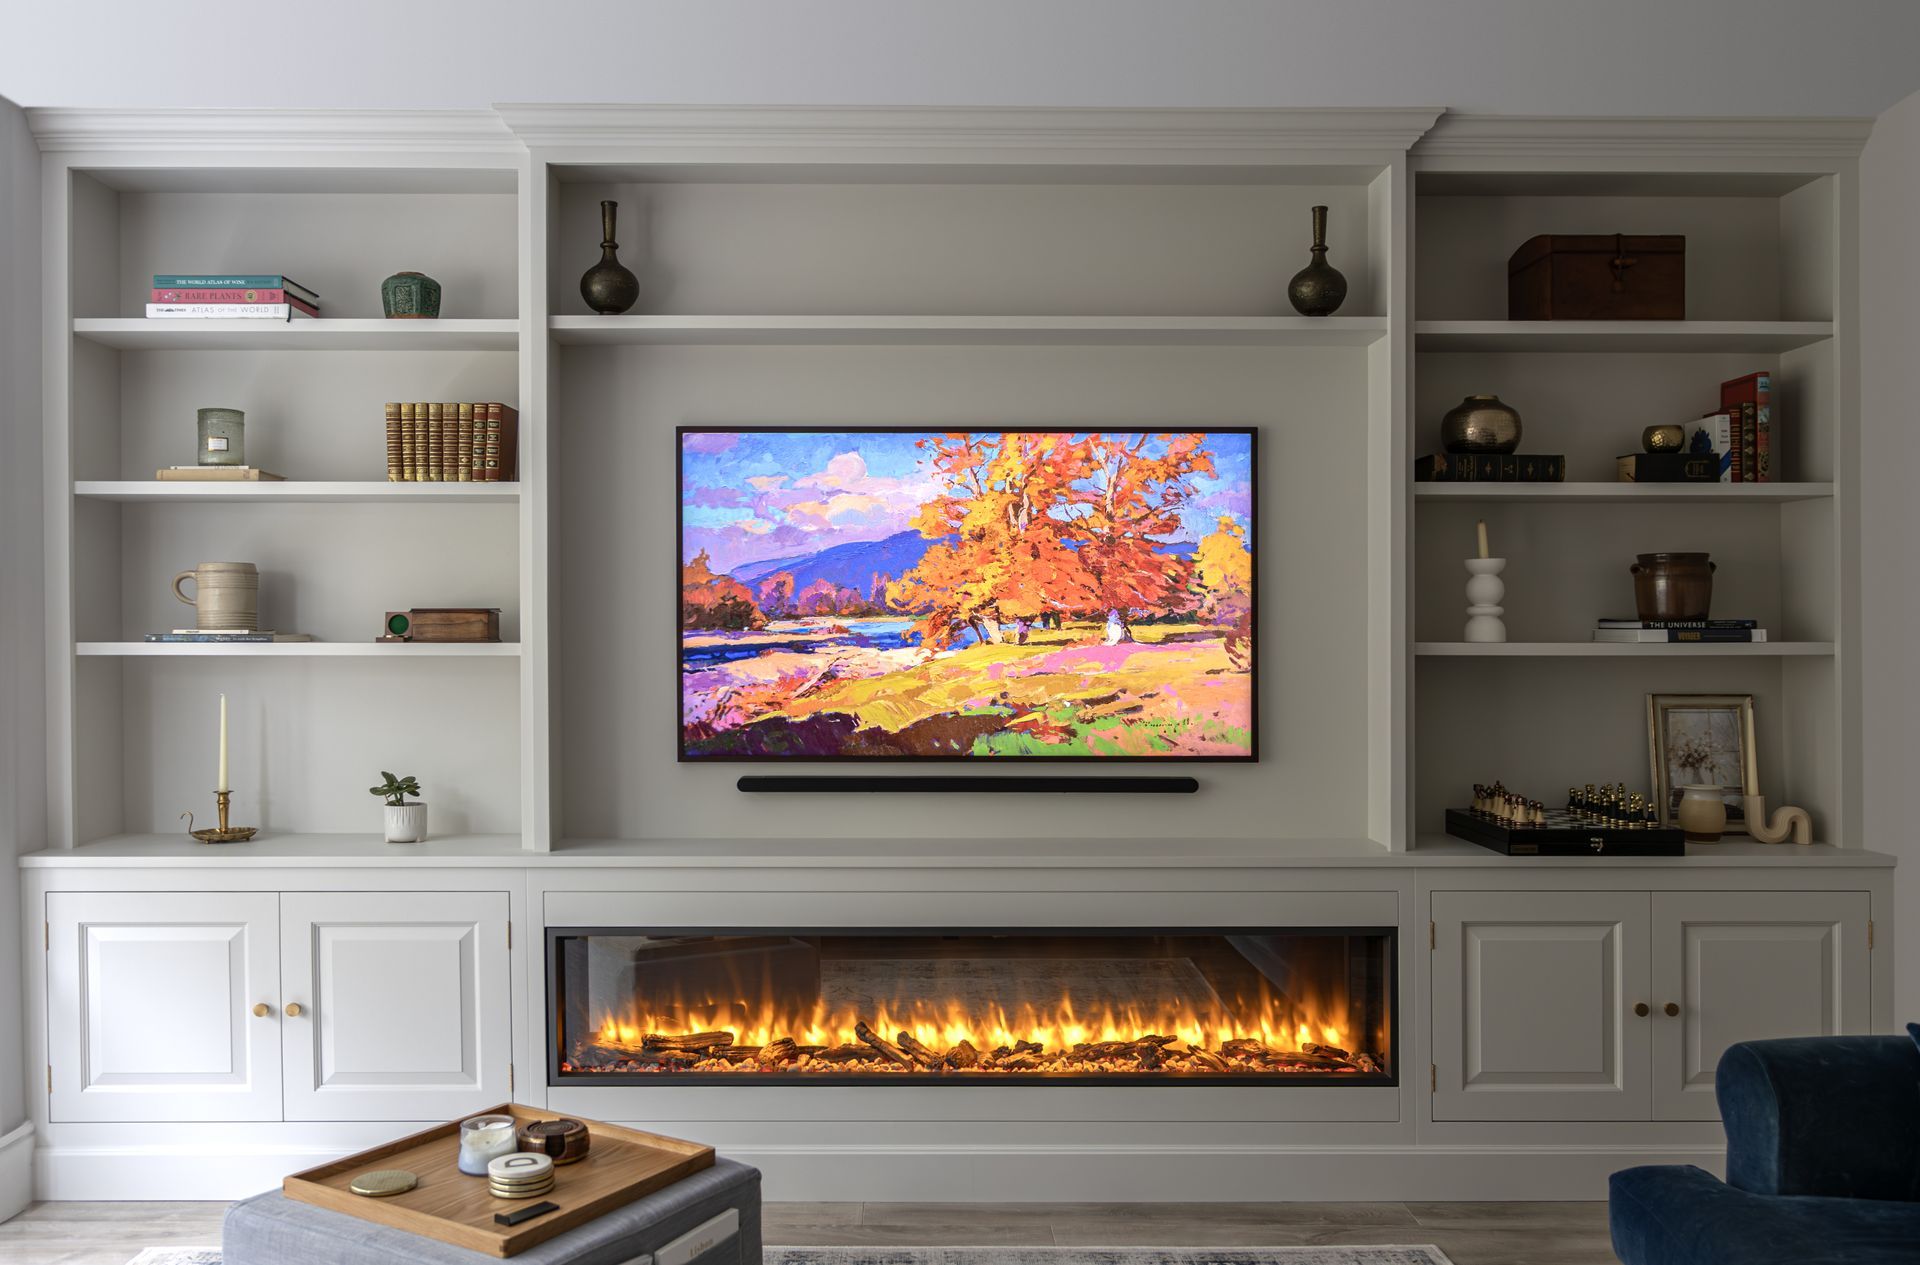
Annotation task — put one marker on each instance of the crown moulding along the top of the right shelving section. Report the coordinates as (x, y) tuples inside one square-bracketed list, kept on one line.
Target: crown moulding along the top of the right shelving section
[(1458, 135)]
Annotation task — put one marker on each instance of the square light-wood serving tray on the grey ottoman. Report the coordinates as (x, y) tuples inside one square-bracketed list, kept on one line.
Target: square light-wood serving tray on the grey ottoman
[(623, 1166)]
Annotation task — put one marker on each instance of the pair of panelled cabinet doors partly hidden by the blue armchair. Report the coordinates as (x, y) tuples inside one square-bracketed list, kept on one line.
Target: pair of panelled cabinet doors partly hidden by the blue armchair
[(1618, 1005)]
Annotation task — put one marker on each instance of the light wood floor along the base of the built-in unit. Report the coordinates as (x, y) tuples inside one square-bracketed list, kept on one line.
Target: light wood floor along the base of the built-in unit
[(1470, 1233)]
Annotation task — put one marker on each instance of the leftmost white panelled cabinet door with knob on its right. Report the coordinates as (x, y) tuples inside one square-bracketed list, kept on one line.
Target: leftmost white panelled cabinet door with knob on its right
[(151, 1001)]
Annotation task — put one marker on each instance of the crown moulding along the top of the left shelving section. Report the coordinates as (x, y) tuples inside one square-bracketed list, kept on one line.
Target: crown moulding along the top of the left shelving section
[(222, 131)]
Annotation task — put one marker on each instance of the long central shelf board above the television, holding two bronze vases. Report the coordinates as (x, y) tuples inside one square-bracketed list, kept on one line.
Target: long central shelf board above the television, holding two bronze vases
[(971, 331)]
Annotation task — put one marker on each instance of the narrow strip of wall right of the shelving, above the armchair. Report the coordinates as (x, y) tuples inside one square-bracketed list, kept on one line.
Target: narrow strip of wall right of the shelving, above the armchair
[(1890, 519)]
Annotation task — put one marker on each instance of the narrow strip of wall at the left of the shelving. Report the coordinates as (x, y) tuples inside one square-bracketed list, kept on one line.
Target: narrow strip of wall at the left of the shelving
[(22, 677)]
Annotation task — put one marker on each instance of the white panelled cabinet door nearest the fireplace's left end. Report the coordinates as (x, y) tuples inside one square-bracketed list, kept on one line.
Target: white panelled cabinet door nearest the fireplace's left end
[(404, 1005)]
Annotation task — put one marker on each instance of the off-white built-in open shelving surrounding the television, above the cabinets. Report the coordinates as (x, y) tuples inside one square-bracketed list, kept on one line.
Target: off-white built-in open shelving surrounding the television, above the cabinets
[(809, 277)]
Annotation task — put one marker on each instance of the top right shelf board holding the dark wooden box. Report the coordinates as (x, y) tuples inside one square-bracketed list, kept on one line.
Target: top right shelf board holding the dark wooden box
[(1737, 337)]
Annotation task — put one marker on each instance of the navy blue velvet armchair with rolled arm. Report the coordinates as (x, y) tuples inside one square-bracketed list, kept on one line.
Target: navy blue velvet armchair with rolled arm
[(1823, 1164)]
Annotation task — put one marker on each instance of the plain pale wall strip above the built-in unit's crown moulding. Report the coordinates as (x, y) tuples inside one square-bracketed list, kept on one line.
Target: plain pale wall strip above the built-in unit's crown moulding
[(1502, 57)]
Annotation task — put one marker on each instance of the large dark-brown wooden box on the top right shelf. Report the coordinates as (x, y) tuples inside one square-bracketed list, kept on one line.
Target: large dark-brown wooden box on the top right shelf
[(1604, 277)]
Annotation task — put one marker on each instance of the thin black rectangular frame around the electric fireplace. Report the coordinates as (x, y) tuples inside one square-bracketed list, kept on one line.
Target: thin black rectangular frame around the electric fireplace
[(1247, 1080)]
